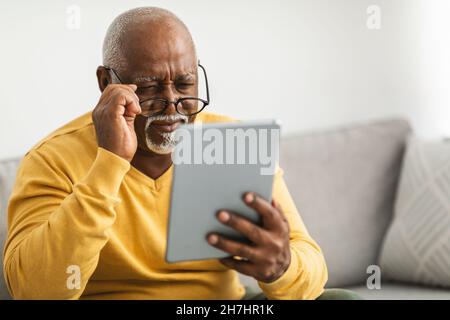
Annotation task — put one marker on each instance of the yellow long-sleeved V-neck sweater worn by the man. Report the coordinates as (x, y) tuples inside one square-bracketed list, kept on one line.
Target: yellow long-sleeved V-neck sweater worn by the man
[(75, 204)]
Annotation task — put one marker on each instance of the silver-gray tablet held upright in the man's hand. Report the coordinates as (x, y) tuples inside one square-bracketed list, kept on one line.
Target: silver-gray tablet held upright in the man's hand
[(214, 165)]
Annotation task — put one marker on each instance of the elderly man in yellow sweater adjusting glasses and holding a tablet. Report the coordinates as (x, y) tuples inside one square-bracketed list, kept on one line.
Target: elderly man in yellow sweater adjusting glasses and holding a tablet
[(91, 199)]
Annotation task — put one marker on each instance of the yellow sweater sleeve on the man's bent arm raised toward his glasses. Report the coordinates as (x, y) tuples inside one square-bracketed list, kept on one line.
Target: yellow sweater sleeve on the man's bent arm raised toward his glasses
[(57, 229)]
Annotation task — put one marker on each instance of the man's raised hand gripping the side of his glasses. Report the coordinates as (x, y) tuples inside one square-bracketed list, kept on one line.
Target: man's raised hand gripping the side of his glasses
[(113, 119)]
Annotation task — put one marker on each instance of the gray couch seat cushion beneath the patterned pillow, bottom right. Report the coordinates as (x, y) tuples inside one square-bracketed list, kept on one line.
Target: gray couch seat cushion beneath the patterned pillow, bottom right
[(398, 291)]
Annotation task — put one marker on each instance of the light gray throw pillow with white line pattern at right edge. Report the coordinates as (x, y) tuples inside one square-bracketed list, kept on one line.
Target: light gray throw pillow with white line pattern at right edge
[(417, 246)]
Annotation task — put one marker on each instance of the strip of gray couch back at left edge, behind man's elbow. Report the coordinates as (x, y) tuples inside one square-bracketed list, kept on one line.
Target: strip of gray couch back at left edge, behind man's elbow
[(8, 170)]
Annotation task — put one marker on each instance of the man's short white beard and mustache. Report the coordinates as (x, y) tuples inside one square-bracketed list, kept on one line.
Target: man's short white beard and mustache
[(169, 142)]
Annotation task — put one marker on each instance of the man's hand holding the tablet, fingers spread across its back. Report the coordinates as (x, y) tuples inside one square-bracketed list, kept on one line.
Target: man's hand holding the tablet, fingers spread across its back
[(268, 256)]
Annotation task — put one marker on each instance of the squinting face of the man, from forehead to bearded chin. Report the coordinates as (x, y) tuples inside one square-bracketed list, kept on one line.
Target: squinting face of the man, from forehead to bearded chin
[(163, 65)]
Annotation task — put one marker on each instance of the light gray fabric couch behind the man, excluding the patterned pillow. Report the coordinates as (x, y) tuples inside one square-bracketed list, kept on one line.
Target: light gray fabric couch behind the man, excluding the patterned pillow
[(344, 183)]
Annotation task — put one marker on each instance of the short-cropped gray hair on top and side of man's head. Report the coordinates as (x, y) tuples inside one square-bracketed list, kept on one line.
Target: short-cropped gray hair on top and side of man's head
[(113, 44)]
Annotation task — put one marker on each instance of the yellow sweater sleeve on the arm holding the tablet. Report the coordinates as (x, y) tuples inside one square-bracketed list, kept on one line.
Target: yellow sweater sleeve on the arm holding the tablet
[(307, 273)]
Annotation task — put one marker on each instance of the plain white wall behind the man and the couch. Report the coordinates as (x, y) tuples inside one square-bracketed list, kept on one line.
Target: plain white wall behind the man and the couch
[(312, 64)]
